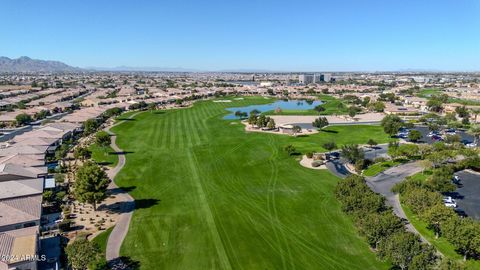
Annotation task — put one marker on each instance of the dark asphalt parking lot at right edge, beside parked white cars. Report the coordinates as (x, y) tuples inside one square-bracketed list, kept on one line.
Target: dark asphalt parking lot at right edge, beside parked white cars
[(468, 194)]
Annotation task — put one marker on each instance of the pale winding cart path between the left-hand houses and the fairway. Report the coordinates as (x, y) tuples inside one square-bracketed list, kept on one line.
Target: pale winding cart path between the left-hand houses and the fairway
[(127, 205)]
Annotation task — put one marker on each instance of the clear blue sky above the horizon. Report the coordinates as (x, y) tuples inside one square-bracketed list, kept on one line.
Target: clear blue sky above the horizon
[(338, 35)]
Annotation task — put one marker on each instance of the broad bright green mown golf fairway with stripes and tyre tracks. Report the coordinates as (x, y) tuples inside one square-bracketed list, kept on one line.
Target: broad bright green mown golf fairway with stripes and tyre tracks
[(211, 196)]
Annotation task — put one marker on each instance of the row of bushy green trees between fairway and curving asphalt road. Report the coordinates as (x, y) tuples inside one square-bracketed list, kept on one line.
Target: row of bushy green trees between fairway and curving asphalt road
[(384, 231)]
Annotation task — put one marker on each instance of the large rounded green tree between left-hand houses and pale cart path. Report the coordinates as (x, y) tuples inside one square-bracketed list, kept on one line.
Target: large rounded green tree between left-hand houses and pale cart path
[(91, 184)]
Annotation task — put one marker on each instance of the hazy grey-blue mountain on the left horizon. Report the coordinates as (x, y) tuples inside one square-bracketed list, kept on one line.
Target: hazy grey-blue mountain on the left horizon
[(27, 64)]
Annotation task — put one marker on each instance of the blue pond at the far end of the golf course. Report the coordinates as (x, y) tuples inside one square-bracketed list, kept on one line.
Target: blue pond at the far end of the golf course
[(282, 104)]
